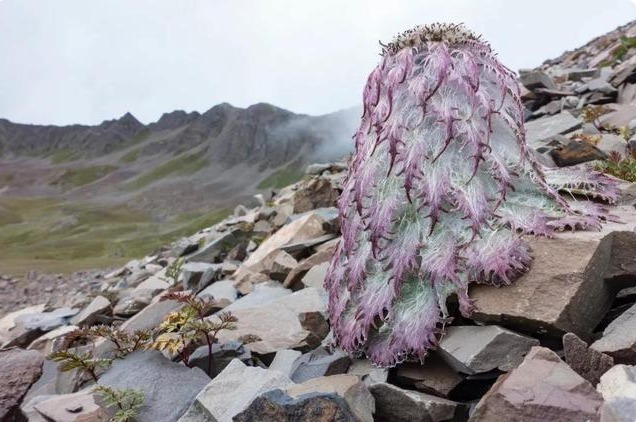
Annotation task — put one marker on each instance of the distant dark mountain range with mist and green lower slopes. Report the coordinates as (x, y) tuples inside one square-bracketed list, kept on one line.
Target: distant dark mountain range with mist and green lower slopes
[(125, 187)]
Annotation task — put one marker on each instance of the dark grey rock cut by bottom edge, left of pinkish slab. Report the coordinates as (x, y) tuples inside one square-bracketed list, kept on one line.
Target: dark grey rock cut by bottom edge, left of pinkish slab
[(393, 404)]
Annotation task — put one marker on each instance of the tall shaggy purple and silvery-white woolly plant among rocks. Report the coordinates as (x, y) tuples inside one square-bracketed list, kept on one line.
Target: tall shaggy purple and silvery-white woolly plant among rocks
[(439, 191)]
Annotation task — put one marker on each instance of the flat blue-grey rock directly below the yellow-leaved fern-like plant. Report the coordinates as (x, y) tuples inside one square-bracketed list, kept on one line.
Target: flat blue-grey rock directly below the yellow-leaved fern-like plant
[(169, 388)]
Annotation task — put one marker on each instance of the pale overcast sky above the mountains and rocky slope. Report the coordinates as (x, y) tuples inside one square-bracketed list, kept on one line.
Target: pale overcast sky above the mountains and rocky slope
[(83, 61)]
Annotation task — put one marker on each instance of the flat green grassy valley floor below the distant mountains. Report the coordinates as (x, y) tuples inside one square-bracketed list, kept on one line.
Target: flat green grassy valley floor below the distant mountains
[(53, 236)]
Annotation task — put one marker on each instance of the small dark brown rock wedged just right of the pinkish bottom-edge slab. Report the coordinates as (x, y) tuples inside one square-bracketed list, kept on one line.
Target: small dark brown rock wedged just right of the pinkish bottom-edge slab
[(588, 363)]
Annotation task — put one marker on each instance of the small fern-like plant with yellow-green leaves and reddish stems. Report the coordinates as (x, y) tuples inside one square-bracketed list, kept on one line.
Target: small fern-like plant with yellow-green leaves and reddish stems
[(183, 330)]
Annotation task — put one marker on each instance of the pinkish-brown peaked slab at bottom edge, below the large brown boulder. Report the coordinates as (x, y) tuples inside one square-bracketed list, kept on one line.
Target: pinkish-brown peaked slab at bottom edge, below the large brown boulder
[(542, 388)]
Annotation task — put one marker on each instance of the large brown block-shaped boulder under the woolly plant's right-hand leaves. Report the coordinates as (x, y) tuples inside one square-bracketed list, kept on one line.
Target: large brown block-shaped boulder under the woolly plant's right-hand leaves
[(563, 291)]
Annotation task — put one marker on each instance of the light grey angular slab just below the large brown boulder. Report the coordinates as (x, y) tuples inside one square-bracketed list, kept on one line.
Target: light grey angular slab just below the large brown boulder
[(478, 349)]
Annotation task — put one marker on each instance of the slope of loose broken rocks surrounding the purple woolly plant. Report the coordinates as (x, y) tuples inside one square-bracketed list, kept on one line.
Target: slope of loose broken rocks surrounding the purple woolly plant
[(559, 344)]
